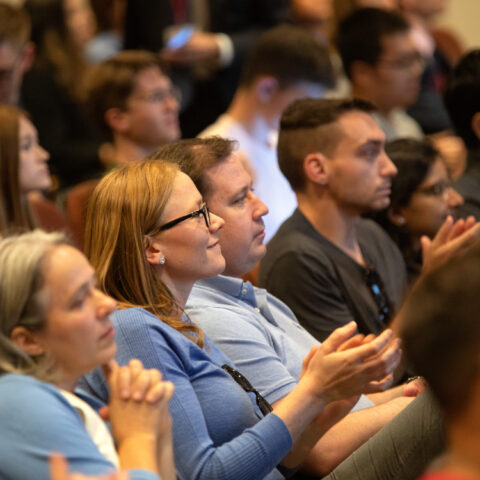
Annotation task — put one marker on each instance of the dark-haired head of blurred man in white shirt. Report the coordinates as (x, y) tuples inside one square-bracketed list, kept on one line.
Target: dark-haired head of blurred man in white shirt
[(268, 72)]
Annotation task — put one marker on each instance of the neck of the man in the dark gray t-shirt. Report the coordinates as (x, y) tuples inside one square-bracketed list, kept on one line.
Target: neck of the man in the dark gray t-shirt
[(335, 224)]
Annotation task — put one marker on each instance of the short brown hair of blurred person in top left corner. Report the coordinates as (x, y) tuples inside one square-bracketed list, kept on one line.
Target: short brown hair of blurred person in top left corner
[(15, 26)]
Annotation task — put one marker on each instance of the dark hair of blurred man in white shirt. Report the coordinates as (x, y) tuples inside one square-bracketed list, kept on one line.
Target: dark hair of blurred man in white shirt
[(290, 55)]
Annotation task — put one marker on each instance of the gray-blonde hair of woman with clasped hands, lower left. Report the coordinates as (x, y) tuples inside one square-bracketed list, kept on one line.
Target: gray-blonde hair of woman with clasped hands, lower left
[(22, 265)]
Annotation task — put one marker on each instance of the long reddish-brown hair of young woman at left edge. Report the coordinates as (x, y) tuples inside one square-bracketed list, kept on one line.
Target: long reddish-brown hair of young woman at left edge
[(15, 213)]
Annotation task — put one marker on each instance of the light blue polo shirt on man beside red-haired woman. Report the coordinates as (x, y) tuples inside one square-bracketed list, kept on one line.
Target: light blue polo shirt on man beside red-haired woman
[(257, 331)]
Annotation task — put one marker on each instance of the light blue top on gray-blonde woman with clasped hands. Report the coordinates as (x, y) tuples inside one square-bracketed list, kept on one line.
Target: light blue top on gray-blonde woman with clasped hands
[(36, 420)]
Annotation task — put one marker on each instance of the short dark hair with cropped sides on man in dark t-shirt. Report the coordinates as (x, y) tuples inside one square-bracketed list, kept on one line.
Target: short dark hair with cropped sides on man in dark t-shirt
[(308, 125)]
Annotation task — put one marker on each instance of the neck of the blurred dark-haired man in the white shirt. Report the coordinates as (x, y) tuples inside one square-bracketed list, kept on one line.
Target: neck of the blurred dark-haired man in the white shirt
[(252, 115)]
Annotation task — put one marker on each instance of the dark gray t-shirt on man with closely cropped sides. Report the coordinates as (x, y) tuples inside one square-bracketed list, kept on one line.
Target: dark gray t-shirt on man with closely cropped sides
[(323, 286)]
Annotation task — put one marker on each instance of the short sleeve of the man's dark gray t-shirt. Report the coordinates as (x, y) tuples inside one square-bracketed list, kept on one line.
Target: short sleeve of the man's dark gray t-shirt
[(304, 284)]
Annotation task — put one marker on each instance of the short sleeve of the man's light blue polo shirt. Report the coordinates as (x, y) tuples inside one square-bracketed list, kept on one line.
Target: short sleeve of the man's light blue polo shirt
[(246, 343)]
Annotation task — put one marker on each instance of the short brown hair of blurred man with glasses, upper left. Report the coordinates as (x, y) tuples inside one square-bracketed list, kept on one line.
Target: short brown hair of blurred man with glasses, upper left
[(110, 83)]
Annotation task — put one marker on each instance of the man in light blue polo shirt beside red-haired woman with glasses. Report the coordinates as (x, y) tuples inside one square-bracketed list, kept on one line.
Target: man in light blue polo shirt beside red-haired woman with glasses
[(260, 334)]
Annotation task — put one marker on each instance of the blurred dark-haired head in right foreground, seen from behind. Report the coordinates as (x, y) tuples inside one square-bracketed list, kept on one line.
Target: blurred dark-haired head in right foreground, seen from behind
[(441, 333)]
